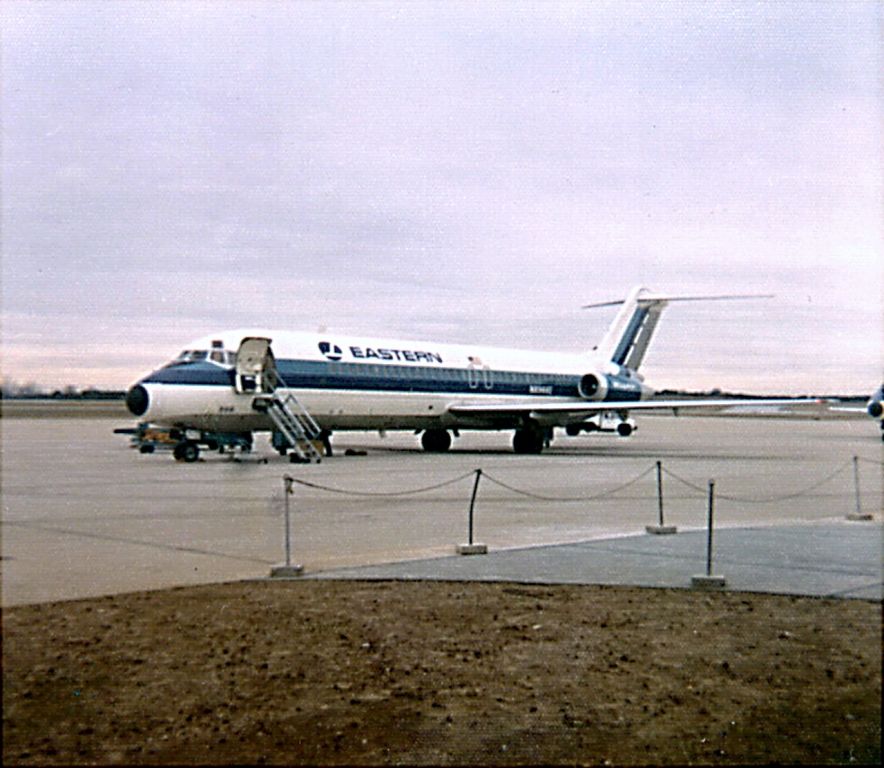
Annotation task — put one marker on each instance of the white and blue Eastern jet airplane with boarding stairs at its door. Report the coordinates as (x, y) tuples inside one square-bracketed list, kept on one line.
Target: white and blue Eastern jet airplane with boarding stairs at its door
[(303, 386)]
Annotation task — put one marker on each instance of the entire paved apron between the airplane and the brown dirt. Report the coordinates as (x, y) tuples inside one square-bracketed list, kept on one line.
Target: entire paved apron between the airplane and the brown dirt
[(84, 515)]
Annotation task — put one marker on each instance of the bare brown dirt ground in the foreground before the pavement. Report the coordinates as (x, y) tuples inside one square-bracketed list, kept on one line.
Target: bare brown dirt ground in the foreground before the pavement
[(441, 673)]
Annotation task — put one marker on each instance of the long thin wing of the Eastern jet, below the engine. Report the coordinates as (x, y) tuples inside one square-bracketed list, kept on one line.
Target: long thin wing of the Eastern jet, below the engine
[(590, 408)]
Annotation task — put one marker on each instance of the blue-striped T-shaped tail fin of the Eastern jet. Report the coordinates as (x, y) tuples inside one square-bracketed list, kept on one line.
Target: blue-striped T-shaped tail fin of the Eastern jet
[(628, 337)]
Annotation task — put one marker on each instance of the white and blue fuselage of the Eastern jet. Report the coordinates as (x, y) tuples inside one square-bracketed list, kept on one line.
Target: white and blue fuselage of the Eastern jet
[(350, 383)]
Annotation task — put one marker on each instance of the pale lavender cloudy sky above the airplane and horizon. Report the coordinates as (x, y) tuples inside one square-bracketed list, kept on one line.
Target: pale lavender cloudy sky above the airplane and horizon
[(459, 172)]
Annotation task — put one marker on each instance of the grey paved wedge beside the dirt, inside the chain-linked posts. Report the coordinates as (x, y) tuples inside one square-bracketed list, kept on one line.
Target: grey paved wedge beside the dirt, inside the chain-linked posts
[(824, 559)]
